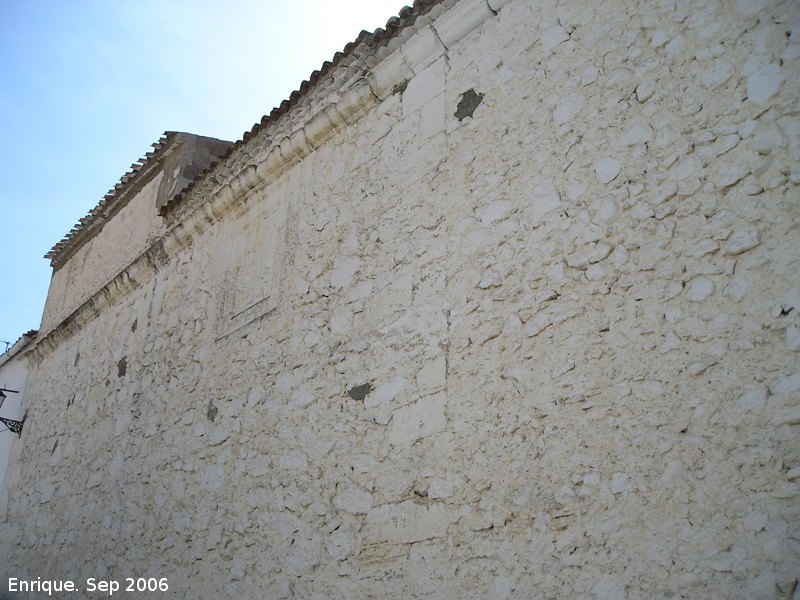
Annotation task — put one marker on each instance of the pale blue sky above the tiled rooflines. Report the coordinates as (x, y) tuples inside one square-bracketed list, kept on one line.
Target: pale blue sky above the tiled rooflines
[(86, 86)]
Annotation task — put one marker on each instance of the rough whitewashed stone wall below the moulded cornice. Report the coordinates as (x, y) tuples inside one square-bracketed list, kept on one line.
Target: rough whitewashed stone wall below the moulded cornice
[(549, 350)]
